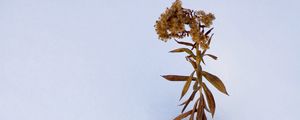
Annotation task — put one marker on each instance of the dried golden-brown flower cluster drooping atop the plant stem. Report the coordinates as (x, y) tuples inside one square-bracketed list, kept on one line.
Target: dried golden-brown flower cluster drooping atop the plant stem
[(173, 21)]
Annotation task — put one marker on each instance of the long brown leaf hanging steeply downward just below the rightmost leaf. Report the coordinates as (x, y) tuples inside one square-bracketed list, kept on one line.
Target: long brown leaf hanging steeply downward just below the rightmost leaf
[(210, 99)]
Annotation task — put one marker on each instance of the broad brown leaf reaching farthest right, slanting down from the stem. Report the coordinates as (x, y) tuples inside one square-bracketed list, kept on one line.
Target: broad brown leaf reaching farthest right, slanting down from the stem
[(215, 81)]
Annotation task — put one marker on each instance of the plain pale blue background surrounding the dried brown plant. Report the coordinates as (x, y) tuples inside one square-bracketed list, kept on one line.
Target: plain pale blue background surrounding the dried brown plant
[(101, 60)]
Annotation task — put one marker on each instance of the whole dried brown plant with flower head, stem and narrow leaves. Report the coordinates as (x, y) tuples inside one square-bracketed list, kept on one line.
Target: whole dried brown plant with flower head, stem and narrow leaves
[(177, 23)]
